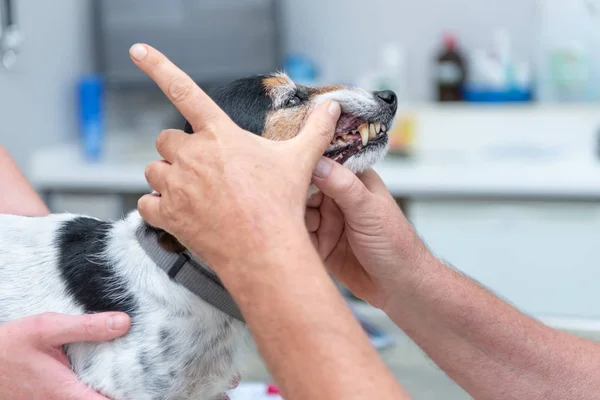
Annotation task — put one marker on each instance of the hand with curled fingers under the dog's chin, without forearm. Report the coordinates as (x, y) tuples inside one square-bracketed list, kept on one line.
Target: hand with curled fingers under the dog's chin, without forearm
[(361, 233)]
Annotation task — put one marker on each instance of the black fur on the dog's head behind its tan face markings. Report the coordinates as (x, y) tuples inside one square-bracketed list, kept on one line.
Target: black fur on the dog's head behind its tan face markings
[(245, 101)]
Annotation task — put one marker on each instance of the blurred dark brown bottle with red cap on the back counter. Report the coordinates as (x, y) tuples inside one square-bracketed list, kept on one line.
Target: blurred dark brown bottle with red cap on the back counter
[(451, 71)]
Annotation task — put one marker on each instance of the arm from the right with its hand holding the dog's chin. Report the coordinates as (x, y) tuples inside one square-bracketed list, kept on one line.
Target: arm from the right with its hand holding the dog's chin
[(487, 346)]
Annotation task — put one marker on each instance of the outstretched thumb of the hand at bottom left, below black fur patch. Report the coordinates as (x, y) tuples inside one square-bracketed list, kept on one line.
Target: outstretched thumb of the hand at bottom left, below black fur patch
[(55, 330)]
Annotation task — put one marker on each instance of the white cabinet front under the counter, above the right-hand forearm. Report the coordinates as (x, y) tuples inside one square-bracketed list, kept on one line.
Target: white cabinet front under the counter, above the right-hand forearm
[(542, 257)]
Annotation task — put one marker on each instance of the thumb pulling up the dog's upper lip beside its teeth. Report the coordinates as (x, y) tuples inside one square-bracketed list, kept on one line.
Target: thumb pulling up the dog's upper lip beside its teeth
[(315, 137)]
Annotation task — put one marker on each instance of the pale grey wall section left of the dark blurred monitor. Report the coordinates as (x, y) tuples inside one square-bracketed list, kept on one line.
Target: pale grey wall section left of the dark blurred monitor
[(37, 100)]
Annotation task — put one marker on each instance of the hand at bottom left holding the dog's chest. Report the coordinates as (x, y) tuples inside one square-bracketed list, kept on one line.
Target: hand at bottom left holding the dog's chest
[(33, 365)]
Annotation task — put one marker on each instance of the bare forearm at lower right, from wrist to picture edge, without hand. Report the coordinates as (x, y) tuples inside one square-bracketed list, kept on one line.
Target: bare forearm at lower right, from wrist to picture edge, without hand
[(487, 346)]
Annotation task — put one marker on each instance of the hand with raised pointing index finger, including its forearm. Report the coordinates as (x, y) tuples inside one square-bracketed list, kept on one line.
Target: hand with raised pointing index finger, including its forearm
[(253, 234)]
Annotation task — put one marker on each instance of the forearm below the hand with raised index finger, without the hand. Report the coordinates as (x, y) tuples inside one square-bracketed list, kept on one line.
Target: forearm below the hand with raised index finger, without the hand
[(309, 339)]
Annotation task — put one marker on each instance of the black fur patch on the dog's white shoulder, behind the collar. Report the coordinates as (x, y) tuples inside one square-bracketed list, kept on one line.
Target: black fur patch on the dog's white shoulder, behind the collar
[(89, 277)]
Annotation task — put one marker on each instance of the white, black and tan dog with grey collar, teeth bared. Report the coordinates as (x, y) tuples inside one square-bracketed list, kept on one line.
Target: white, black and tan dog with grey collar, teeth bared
[(180, 346)]
